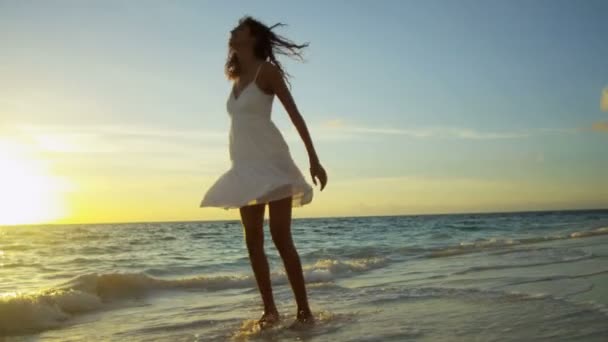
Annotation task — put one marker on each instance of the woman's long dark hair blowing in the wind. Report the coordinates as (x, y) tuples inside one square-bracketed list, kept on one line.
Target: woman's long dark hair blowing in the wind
[(268, 45)]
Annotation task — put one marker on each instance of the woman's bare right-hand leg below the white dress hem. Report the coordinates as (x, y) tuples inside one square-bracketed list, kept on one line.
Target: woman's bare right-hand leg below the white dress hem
[(280, 228)]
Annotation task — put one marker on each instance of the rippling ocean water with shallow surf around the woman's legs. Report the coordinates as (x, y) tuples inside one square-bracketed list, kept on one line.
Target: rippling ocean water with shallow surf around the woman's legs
[(461, 277)]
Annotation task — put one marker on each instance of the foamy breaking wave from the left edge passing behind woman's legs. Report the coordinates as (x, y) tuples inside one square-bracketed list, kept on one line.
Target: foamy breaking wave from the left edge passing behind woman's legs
[(20, 312)]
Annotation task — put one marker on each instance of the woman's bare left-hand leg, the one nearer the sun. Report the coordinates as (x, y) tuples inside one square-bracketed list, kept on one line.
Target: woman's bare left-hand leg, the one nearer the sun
[(252, 217)]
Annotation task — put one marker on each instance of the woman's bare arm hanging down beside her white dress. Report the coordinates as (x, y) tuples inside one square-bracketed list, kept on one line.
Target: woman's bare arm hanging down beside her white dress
[(279, 87)]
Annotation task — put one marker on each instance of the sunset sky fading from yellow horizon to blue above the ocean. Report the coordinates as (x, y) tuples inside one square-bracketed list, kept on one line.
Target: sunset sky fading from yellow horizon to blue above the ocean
[(115, 111)]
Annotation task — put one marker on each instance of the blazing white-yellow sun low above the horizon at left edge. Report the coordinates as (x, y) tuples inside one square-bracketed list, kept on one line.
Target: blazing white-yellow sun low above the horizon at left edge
[(29, 194)]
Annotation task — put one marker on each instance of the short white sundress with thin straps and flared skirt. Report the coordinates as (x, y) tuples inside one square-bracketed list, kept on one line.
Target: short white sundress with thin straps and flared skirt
[(262, 167)]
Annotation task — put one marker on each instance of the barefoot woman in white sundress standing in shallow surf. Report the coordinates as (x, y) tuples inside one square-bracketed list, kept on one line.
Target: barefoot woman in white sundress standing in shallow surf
[(263, 171)]
